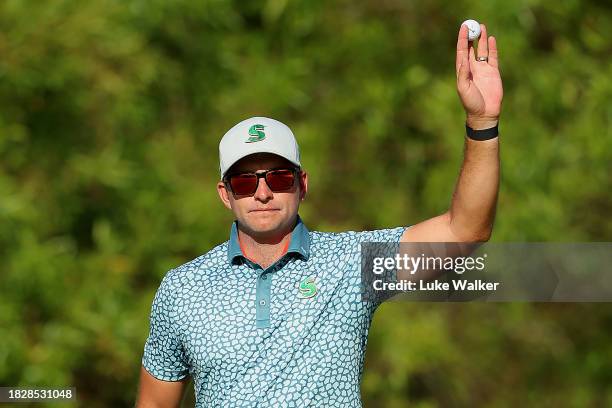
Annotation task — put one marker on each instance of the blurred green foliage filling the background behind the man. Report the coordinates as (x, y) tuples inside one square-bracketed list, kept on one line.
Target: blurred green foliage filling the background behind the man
[(110, 116)]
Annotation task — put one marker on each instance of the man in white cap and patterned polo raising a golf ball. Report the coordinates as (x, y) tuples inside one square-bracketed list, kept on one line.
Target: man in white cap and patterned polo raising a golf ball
[(273, 317)]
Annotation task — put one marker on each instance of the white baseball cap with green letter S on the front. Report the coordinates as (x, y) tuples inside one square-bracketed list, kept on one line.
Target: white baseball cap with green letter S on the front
[(257, 135)]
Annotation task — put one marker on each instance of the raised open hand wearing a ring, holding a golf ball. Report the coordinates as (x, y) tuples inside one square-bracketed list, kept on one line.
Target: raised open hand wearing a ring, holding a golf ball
[(479, 84)]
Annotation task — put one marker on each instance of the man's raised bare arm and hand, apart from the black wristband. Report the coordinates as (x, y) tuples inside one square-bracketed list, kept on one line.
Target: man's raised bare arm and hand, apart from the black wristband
[(472, 210)]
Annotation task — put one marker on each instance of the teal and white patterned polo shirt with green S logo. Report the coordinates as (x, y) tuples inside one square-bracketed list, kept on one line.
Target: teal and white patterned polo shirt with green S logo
[(290, 335)]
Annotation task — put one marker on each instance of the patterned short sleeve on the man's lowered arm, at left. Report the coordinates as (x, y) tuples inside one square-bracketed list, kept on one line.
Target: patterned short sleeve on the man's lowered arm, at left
[(164, 356)]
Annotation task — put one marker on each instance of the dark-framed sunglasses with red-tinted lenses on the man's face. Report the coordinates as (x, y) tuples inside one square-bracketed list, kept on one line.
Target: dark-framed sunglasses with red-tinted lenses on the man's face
[(246, 183)]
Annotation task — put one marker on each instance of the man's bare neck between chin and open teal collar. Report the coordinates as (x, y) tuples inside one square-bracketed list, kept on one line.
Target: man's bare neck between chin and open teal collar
[(264, 250)]
